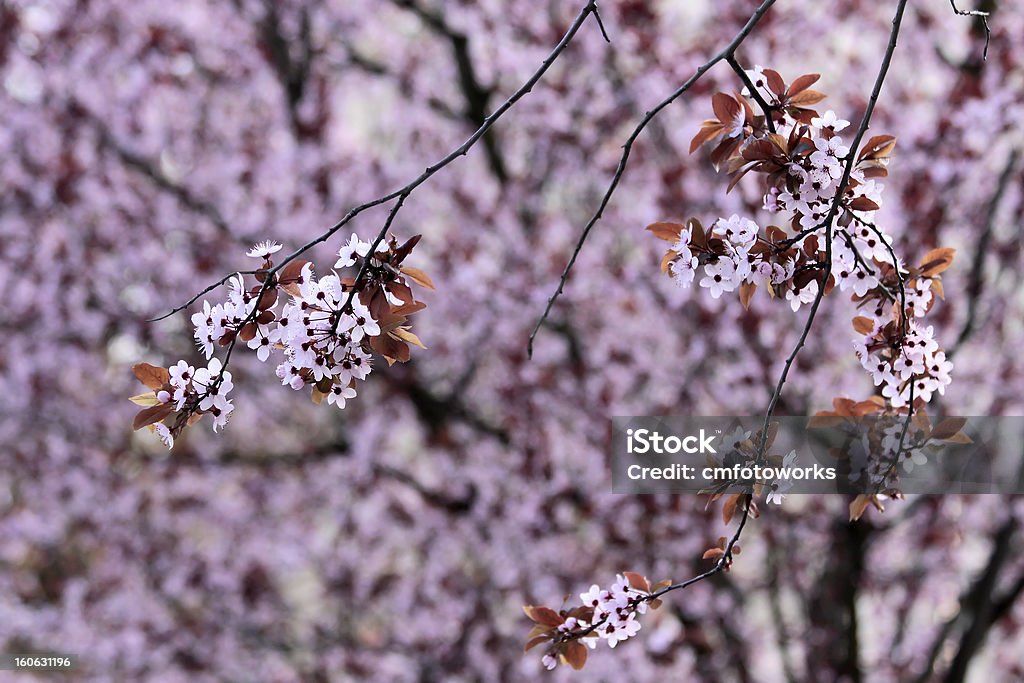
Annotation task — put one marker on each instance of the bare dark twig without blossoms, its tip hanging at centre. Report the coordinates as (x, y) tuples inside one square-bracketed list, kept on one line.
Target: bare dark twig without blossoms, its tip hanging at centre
[(728, 52)]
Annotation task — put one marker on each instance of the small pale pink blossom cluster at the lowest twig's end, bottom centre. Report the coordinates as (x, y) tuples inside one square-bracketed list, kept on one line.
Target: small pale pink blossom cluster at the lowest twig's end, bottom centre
[(610, 615)]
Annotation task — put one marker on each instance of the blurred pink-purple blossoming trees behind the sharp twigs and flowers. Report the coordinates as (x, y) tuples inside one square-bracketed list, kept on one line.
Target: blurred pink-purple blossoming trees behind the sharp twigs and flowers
[(145, 146)]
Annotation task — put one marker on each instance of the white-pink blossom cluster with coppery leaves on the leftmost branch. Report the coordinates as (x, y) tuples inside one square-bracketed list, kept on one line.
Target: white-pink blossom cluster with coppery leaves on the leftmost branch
[(327, 333)]
